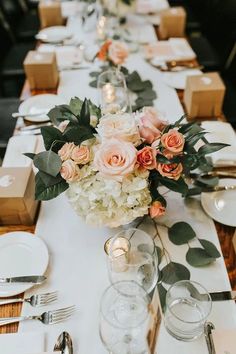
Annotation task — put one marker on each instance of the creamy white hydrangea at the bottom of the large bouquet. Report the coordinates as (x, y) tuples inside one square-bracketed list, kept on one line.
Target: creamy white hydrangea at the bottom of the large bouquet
[(106, 202)]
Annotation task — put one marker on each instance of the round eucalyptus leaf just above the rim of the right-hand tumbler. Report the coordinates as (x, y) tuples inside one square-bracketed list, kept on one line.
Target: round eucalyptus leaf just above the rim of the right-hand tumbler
[(174, 272)]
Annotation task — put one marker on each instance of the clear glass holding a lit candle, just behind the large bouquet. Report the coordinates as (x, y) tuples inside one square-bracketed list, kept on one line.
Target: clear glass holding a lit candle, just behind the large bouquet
[(112, 90)]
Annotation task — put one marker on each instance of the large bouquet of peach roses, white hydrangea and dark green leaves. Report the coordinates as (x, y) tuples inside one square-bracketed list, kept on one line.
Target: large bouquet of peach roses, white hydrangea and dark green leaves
[(112, 166)]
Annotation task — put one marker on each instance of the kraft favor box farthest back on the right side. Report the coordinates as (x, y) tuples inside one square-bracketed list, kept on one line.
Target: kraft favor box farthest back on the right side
[(172, 23)]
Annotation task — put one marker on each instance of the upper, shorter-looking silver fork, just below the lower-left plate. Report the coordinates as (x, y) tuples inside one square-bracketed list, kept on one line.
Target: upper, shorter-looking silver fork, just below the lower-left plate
[(34, 300)]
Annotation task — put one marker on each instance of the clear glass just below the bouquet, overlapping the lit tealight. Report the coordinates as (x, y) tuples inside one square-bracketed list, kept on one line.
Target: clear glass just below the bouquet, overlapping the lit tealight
[(132, 256)]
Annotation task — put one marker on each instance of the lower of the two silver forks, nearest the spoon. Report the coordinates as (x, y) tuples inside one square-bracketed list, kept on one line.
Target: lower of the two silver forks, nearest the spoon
[(48, 317)]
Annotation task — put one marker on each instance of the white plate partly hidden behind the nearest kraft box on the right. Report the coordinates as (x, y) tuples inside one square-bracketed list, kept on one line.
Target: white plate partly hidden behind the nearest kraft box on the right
[(177, 80)]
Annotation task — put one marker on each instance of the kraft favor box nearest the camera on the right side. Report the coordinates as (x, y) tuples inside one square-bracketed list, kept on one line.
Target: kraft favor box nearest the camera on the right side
[(204, 95)]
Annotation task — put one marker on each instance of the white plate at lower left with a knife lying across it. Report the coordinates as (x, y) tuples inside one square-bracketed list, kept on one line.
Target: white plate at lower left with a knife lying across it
[(21, 253)]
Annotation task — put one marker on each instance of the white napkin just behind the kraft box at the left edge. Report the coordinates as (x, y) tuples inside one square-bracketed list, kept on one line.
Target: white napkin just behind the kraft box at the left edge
[(17, 146)]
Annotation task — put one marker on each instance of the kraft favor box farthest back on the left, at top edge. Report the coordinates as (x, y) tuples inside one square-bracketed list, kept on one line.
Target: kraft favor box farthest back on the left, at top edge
[(50, 13)]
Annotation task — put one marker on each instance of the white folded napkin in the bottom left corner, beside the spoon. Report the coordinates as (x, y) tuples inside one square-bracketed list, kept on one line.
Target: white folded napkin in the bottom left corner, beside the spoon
[(22, 343)]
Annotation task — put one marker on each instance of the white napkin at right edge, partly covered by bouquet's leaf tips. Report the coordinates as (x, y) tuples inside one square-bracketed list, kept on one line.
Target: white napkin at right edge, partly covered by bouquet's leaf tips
[(222, 132)]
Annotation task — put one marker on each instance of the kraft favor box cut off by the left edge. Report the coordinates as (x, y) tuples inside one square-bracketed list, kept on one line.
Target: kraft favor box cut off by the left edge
[(17, 202)]
